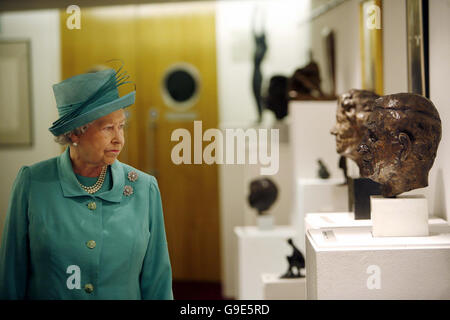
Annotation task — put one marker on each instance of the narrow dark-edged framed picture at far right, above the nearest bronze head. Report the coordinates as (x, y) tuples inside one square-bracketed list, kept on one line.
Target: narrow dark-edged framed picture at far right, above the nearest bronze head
[(417, 37)]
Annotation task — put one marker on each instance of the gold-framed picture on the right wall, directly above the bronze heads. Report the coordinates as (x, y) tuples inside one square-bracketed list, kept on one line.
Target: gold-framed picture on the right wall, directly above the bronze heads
[(371, 45)]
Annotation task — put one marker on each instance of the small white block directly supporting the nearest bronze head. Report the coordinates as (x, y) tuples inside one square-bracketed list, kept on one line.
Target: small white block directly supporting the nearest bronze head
[(404, 216)]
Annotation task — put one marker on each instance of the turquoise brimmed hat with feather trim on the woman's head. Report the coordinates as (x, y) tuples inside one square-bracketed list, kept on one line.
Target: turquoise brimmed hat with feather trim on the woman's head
[(87, 97)]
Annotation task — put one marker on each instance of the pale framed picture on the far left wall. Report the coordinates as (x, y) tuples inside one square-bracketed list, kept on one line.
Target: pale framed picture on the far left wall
[(15, 93)]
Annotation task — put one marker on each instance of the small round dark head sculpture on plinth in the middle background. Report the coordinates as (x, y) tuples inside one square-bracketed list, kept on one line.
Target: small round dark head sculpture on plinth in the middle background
[(263, 194)]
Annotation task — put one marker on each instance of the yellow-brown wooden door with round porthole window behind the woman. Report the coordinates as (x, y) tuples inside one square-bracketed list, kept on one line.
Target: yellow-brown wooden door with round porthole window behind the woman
[(151, 39)]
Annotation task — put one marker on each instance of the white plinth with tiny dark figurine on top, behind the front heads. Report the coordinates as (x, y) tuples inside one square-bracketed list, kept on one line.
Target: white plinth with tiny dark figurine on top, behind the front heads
[(318, 195)]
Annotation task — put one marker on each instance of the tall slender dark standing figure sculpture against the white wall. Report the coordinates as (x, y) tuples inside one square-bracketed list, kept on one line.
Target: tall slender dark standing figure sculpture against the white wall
[(258, 57)]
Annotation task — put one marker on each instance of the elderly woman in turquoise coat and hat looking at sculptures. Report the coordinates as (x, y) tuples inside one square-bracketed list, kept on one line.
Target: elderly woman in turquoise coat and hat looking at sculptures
[(84, 225)]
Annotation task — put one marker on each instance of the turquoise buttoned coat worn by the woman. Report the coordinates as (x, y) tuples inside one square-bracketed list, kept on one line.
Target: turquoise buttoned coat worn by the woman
[(59, 242)]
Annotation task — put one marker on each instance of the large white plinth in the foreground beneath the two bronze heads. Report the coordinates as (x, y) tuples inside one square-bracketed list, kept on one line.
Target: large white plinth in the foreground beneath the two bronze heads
[(349, 263)]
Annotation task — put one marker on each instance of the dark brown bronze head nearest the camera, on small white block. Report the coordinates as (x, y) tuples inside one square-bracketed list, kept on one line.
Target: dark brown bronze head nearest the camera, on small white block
[(400, 144)]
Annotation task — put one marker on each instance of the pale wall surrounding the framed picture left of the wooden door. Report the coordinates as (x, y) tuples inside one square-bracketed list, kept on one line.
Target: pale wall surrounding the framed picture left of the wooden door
[(42, 28)]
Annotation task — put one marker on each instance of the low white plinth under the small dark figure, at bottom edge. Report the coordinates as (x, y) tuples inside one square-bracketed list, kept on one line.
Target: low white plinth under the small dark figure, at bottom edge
[(275, 288)]
